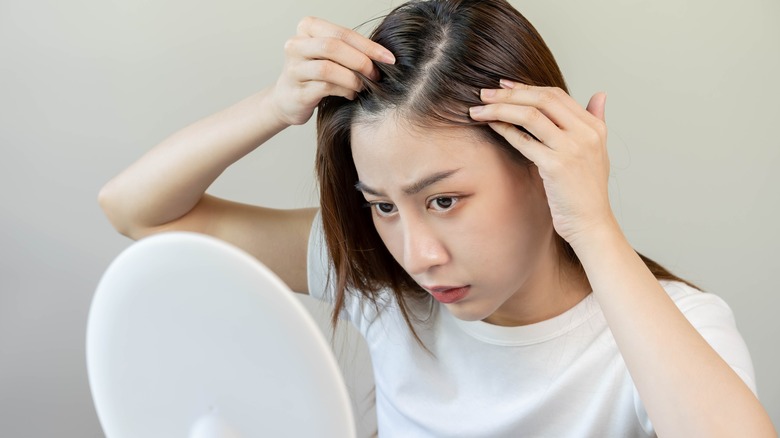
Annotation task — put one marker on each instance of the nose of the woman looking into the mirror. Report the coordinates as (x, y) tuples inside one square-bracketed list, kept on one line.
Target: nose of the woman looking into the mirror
[(423, 249)]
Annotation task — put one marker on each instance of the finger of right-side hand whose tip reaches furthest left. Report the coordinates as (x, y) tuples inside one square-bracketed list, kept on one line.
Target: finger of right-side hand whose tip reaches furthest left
[(529, 117)]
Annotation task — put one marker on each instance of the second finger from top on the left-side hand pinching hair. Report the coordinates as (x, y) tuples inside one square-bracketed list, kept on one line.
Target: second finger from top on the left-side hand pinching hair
[(332, 49)]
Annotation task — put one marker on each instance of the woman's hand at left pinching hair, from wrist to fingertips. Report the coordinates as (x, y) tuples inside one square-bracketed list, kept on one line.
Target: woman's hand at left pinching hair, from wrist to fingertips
[(322, 60)]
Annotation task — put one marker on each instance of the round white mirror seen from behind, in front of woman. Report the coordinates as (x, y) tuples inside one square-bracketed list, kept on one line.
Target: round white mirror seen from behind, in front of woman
[(189, 336)]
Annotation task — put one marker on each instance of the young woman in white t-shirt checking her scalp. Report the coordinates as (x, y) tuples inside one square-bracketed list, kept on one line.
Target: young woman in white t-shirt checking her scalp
[(466, 230)]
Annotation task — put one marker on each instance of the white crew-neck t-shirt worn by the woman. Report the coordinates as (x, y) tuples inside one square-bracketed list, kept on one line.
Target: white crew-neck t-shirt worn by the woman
[(563, 377)]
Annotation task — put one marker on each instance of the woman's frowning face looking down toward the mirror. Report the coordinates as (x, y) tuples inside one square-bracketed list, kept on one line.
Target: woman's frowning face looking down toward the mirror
[(468, 224)]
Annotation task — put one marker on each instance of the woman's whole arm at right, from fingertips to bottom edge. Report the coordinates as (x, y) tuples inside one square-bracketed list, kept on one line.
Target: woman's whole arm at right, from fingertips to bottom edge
[(686, 387)]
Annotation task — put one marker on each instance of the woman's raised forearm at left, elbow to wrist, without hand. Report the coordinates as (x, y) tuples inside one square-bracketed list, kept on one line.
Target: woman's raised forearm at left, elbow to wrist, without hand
[(168, 181)]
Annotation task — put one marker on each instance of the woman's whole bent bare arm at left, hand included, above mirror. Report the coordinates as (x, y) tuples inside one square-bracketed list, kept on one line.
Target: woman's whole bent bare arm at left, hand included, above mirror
[(165, 189)]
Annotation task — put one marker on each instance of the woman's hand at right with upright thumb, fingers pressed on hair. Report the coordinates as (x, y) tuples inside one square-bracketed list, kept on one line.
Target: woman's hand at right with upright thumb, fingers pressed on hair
[(570, 151)]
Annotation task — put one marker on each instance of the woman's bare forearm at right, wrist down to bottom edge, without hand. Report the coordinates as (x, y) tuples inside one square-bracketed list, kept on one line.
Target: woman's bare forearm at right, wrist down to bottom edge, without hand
[(686, 387)]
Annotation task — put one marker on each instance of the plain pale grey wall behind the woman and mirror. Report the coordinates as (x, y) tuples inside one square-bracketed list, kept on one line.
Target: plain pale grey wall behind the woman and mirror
[(87, 86)]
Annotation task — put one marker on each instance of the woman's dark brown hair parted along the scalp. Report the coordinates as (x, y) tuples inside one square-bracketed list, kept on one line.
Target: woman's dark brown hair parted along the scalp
[(446, 51)]
